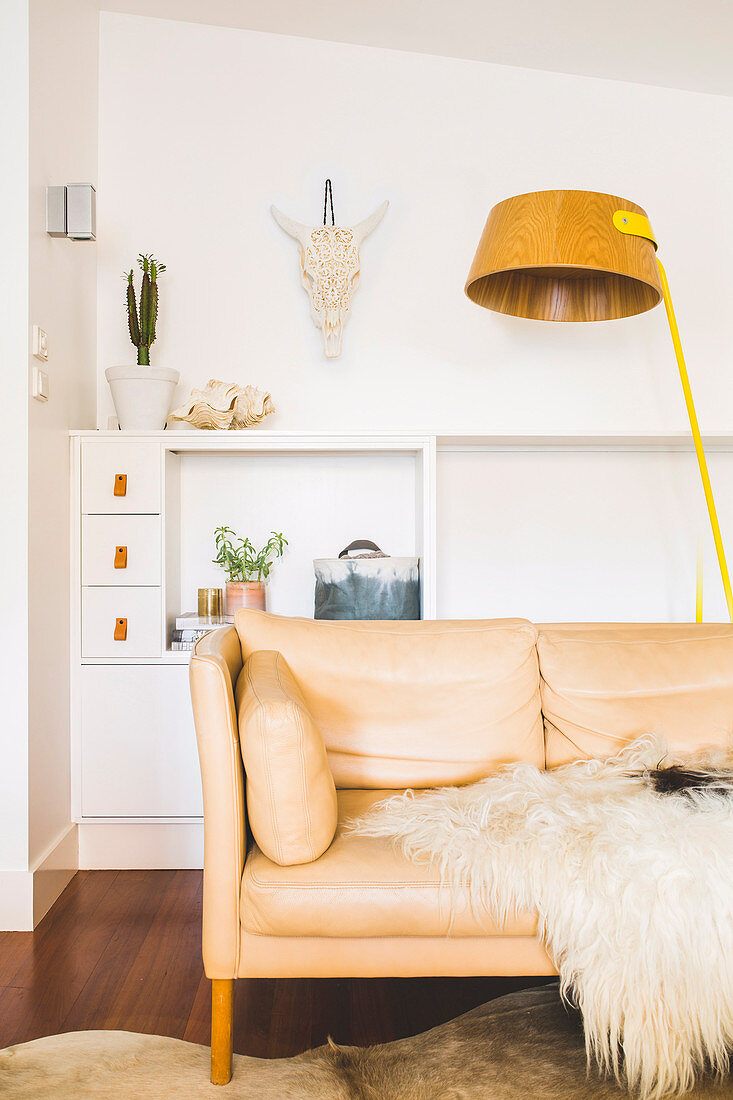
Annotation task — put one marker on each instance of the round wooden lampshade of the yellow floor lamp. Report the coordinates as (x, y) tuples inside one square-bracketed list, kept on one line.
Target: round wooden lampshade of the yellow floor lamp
[(559, 257)]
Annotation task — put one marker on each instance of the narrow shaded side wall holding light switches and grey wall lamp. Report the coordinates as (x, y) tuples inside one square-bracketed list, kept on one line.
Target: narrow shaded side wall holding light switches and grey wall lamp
[(63, 301)]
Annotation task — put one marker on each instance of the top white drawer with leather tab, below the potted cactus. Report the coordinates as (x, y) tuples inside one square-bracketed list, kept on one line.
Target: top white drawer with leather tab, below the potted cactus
[(121, 478)]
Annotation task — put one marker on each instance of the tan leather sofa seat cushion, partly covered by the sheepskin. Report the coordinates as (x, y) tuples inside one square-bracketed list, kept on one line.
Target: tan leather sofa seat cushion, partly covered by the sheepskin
[(360, 887)]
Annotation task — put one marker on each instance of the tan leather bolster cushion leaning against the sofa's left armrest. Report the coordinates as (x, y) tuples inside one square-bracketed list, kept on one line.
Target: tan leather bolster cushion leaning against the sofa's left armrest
[(291, 796)]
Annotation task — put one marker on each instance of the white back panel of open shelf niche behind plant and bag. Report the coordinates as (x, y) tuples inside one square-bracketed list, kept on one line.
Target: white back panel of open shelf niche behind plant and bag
[(322, 503)]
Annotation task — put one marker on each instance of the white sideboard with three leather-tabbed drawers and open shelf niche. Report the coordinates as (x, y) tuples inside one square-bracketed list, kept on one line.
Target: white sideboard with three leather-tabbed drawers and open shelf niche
[(145, 512)]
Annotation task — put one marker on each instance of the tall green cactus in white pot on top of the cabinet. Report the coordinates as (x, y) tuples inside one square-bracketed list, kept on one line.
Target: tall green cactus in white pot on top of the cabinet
[(143, 394)]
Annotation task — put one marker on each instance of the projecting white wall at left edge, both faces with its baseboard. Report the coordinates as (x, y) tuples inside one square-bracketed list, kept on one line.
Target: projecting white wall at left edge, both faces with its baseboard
[(49, 95)]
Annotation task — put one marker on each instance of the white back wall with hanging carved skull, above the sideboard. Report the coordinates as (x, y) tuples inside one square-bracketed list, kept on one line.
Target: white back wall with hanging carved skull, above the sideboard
[(235, 120)]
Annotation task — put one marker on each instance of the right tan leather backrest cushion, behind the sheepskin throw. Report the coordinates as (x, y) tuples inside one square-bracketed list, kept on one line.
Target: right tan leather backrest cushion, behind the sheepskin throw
[(605, 685)]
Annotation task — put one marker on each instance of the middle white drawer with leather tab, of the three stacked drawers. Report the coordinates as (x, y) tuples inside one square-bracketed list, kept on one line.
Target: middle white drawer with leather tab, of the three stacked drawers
[(122, 551)]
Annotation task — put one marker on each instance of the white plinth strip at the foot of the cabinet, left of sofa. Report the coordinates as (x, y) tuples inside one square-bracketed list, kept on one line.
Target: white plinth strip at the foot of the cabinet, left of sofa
[(133, 846)]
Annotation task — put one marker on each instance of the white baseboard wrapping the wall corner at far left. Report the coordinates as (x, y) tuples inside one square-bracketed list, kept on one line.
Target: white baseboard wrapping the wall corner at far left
[(26, 897)]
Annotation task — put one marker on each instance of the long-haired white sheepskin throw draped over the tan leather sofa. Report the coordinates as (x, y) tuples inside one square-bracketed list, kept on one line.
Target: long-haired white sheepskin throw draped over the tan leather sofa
[(633, 888)]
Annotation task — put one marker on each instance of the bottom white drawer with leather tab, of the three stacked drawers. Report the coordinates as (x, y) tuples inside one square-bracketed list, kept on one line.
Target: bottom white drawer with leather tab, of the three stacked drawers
[(135, 614)]
